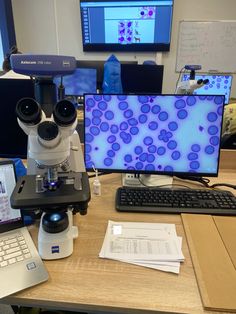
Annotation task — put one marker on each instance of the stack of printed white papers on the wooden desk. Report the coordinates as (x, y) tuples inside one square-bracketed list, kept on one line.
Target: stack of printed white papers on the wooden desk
[(153, 245)]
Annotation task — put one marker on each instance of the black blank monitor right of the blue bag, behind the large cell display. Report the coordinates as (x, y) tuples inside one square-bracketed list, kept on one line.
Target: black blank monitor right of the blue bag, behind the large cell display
[(142, 78)]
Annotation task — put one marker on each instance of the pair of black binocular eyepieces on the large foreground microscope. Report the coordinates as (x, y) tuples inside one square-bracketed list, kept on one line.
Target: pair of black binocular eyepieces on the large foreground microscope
[(29, 112)]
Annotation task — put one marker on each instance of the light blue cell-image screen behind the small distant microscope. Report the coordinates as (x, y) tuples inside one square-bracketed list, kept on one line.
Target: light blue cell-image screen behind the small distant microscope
[(217, 85)]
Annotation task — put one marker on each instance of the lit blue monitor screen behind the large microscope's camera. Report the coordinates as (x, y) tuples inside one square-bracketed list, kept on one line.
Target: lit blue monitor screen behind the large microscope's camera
[(80, 82)]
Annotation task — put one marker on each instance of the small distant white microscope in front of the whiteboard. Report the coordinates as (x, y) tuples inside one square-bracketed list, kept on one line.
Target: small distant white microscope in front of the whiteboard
[(189, 86)]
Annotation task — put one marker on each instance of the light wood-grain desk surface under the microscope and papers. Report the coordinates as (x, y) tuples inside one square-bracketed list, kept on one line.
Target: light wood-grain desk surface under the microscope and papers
[(84, 282)]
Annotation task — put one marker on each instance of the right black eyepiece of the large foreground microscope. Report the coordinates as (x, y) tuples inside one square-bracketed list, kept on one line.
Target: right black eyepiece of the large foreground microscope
[(64, 113)]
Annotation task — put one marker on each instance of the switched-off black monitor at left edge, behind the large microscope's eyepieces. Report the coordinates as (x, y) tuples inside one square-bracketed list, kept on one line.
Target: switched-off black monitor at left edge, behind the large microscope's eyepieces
[(13, 140)]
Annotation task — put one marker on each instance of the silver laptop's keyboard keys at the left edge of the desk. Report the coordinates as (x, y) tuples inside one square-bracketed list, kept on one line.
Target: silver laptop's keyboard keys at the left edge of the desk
[(13, 249)]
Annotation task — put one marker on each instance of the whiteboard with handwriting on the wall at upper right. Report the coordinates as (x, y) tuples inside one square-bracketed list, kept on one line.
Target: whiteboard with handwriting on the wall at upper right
[(211, 44)]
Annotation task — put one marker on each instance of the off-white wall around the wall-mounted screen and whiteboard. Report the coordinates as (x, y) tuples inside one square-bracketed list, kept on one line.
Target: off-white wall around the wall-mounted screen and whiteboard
[(53, 26)]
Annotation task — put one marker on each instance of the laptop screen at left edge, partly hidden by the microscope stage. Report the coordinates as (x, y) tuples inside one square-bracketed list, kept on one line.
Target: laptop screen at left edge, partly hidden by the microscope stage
[(7, 184)]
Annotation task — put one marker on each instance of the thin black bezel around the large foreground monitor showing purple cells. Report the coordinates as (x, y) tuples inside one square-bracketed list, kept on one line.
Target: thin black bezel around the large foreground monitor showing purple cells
[(156, 172)]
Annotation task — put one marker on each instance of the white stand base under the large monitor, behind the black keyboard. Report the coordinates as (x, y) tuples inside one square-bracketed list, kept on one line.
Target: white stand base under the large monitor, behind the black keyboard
[(140, 180)]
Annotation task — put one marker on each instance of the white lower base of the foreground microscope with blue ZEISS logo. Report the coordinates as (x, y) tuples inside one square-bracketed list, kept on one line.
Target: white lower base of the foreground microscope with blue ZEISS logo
[(57, 245)]
